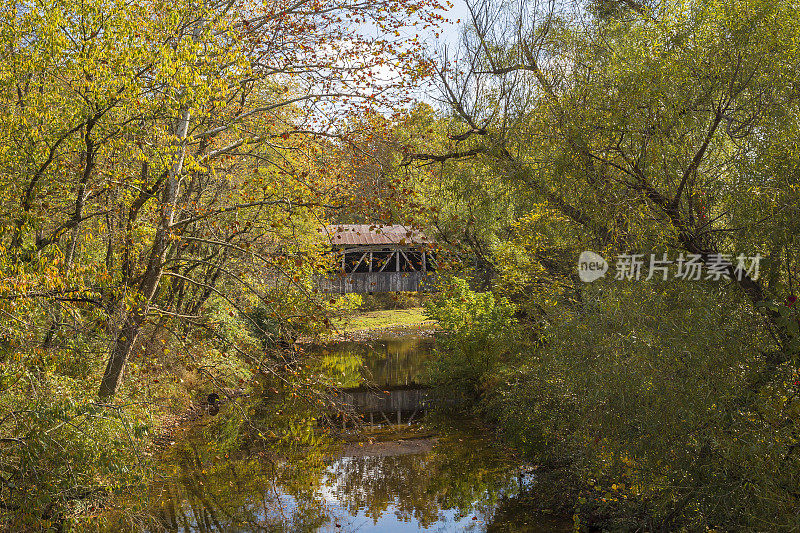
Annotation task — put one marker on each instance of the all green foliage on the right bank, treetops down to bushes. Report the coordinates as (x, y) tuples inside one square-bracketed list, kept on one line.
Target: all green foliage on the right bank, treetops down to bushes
[(643, 127)]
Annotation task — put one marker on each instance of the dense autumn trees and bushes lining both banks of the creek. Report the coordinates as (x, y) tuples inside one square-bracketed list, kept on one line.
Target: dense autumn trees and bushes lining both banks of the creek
[(165, 168)]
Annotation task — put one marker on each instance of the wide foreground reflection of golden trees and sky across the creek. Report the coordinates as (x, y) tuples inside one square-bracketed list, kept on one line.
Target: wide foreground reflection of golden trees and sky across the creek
[(452, 485)]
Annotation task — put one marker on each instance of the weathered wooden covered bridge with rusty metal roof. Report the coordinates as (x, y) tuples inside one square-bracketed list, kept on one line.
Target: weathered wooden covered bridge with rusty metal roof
[(378, 258)]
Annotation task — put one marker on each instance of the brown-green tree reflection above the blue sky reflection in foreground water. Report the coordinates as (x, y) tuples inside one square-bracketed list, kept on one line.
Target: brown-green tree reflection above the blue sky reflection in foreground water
[(464, 475)]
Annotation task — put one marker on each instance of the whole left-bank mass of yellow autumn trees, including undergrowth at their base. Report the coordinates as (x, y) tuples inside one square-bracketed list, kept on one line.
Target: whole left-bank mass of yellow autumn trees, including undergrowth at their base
[(164, 170)]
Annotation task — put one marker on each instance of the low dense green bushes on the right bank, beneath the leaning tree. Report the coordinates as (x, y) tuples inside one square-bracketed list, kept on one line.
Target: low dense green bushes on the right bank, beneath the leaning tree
[(656, 396)]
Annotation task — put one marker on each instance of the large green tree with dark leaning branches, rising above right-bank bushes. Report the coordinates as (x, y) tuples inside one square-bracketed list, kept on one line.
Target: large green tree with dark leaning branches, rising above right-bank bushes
[(641, 130)]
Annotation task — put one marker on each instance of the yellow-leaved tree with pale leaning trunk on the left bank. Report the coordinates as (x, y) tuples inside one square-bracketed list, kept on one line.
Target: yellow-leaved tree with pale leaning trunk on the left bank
[(136, 123)]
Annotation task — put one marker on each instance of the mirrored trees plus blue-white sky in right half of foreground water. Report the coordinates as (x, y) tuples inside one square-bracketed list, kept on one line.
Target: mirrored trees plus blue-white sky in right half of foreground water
[(453, 487)]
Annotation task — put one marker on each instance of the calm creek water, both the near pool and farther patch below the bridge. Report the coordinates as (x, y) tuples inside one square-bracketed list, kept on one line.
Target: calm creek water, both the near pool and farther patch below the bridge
[(409, 478)]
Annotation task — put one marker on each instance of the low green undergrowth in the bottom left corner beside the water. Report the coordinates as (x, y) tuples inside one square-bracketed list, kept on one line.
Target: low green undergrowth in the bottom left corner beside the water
[(63, 452)]
